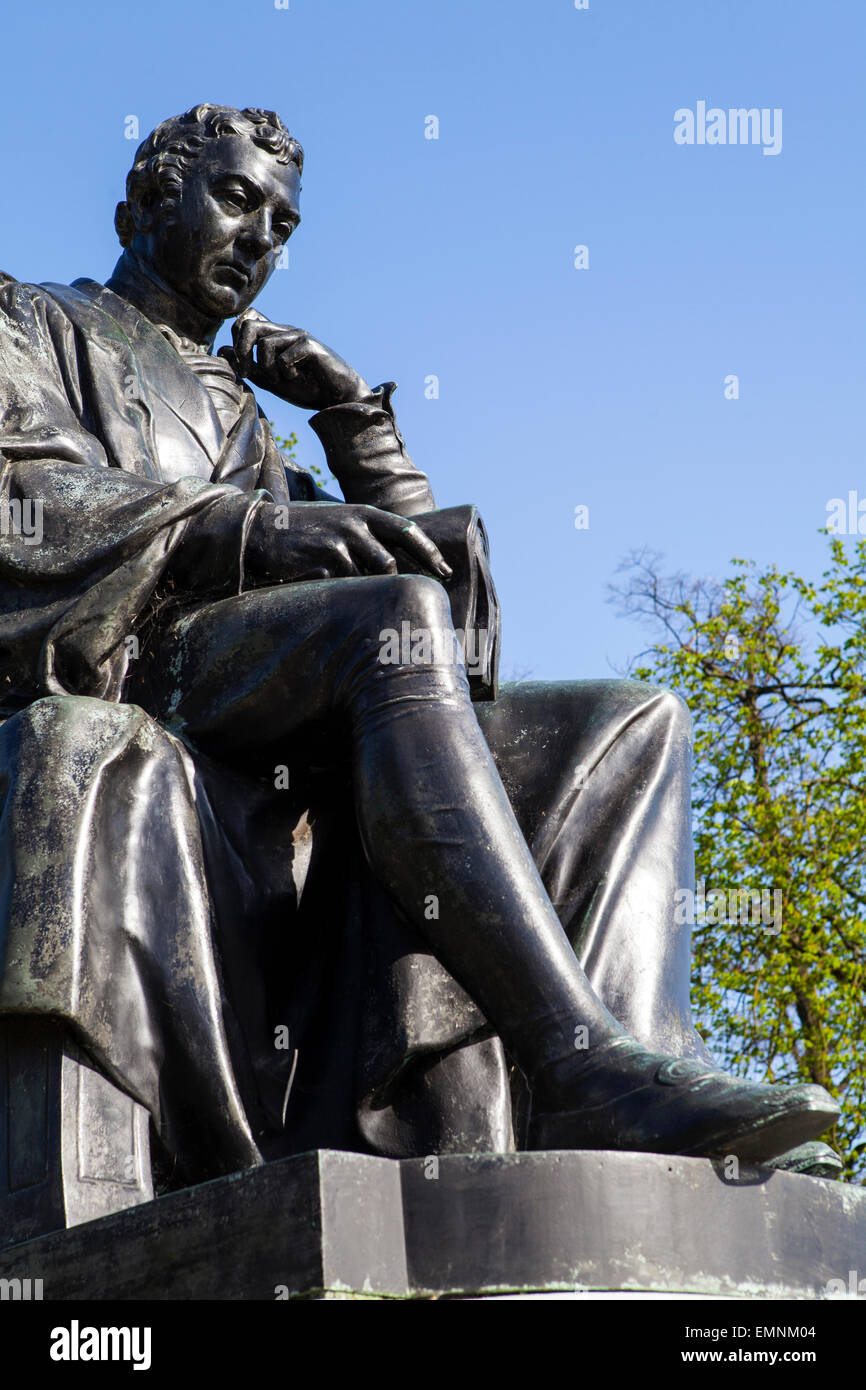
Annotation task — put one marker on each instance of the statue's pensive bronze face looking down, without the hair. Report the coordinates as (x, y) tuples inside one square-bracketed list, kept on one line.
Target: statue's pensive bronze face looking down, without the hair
[(220, 243)]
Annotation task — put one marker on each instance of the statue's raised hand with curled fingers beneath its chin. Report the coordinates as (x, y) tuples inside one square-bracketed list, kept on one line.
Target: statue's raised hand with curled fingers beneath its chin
[(293, 365)]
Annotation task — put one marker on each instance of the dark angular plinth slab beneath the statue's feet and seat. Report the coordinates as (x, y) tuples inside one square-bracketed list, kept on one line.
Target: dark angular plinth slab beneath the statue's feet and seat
[(345, 1225)]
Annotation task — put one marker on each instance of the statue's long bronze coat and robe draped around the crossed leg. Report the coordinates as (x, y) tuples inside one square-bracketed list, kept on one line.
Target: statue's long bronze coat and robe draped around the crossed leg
[(219, 945)]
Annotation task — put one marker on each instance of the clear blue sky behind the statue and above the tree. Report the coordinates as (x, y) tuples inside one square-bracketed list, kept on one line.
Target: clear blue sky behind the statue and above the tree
[(455, 256)]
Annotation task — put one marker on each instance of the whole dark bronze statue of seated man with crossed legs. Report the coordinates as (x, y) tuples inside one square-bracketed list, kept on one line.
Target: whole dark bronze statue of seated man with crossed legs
[(281, 892)]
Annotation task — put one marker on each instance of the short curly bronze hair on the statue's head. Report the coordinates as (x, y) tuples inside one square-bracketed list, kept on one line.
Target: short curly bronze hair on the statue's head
[(162, 162)]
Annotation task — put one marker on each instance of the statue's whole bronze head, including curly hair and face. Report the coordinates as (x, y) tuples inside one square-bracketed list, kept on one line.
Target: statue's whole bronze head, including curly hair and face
[(212, 198)]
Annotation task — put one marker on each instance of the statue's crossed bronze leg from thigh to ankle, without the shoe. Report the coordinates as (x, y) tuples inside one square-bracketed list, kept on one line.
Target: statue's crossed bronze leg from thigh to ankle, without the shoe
[(266, 676)]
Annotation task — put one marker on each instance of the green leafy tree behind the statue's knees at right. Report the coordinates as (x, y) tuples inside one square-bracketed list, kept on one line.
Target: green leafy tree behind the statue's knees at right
[(774, 669)]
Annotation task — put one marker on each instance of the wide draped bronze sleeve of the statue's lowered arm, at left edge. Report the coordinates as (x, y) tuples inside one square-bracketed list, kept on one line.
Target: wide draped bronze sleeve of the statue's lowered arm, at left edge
[(83, 546)]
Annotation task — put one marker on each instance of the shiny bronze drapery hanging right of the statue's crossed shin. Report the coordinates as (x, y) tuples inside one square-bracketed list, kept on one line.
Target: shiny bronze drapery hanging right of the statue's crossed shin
[(600, 778)]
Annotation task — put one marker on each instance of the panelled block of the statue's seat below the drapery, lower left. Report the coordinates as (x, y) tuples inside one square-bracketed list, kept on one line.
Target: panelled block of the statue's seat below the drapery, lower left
[(73, 1147)]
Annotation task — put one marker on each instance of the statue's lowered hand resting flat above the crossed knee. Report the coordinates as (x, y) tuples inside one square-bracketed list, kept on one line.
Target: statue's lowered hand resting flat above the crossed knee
[(336, 540)]
